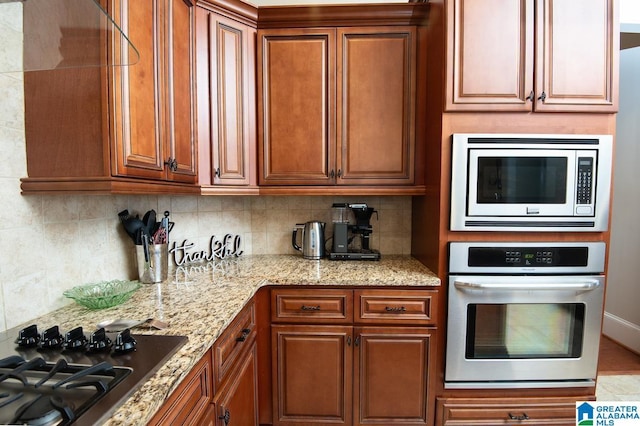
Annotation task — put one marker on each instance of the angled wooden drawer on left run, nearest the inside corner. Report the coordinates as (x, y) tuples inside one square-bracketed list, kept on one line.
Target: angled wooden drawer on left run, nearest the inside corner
[(231, 344)]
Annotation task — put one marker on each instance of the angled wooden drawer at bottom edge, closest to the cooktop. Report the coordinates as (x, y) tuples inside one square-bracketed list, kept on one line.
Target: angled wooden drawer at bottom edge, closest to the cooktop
[(190, 402)]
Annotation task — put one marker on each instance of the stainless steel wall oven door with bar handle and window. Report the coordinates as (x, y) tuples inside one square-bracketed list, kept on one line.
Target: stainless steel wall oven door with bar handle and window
[(523, 331)]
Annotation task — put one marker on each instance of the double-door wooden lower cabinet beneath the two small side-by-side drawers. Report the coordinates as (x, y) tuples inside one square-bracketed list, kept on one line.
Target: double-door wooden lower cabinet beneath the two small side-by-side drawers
[(351, 375)]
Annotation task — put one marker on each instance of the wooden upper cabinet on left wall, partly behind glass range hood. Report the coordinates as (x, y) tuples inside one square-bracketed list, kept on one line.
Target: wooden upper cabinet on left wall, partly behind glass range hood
[(93, 129)]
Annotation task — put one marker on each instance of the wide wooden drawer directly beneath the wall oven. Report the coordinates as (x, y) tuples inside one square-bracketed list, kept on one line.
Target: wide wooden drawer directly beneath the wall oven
[(507, 411)]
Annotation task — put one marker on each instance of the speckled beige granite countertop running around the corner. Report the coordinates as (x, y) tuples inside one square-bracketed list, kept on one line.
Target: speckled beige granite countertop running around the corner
[(199, 301)]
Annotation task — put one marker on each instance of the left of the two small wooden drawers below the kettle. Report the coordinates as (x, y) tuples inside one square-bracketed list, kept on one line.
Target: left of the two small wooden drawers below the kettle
[(312, 306)]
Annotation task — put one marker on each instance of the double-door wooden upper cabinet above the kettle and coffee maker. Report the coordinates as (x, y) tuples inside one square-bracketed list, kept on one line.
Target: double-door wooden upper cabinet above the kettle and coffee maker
[(336, 106)]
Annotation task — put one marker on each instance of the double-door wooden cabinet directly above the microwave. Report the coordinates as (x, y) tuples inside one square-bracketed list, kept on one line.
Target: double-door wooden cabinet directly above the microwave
[(525, 55)]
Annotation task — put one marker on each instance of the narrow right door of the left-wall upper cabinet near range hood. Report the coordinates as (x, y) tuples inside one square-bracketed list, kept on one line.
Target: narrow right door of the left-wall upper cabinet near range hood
[(178, 85)]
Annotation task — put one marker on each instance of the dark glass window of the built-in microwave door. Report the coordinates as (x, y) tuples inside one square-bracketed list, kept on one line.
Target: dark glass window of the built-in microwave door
[(518, 180)]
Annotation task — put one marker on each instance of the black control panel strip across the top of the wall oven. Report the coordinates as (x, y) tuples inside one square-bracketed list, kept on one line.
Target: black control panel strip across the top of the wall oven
[(527, 256)]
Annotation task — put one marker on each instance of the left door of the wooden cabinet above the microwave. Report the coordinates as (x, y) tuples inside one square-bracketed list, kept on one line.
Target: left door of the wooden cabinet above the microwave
[(489, 55)]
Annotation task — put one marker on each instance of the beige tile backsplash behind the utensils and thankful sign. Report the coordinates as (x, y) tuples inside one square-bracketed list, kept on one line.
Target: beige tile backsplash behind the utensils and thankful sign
[(51, 243)]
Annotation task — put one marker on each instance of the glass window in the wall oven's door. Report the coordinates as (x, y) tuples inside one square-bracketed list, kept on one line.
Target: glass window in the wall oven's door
[(524, 330)]
